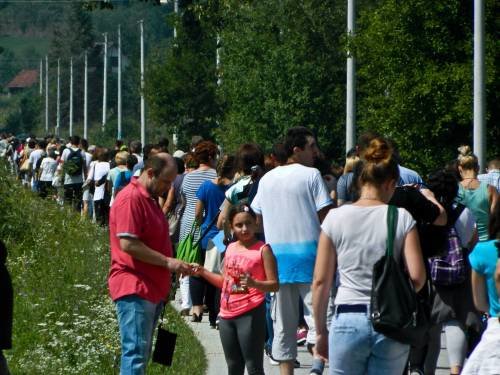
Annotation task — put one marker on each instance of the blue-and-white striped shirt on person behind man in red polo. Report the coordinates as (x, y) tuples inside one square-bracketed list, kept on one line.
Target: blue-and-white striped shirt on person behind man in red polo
[(190, 185)]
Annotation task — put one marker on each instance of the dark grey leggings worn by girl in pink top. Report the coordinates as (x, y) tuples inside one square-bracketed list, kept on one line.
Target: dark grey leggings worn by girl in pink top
[(243, 341)]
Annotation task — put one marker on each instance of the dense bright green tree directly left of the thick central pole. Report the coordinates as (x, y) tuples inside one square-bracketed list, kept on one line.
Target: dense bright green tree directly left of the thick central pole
[(282, 66)]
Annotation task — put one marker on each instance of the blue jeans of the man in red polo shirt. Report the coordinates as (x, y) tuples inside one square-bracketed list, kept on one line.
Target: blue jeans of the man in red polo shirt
[(137, 319)]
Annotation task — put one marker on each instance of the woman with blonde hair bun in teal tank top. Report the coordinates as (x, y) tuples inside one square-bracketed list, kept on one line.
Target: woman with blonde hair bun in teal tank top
[(478, 196)]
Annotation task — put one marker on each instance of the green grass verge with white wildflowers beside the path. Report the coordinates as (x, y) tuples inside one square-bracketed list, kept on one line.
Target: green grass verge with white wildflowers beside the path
[(64, 321)]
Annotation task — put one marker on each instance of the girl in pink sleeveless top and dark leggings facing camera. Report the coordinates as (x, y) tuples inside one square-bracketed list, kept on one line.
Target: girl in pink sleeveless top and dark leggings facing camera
[(249, 271)]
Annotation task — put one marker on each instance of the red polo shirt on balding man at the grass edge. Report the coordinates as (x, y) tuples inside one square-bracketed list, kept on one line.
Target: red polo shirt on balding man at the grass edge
[(135, 214)]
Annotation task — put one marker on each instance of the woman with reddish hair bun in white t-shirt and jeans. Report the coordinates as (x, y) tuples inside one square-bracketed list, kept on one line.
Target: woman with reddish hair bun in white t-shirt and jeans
[(352, 240)]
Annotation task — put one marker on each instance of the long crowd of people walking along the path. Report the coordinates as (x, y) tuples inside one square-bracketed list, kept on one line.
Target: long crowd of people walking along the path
[(288, 246)]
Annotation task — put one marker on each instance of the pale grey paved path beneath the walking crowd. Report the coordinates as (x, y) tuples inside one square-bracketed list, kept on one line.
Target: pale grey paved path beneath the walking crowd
[(210, 340)]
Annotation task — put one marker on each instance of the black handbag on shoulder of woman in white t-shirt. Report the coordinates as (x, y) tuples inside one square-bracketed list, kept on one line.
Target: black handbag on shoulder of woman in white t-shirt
[(396, 310)]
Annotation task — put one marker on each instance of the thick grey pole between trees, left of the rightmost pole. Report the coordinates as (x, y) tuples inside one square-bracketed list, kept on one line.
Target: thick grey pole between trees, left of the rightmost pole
[(350, 139)]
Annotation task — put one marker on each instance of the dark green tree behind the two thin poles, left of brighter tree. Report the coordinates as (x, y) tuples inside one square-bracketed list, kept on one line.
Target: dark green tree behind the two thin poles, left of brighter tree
[(181, 82)]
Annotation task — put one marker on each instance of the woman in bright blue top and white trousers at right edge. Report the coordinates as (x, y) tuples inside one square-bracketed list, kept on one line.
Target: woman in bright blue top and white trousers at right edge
[(486, 356)]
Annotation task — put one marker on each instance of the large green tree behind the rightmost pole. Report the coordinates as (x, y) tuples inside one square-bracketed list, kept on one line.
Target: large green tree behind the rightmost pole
[(415, 76)]
